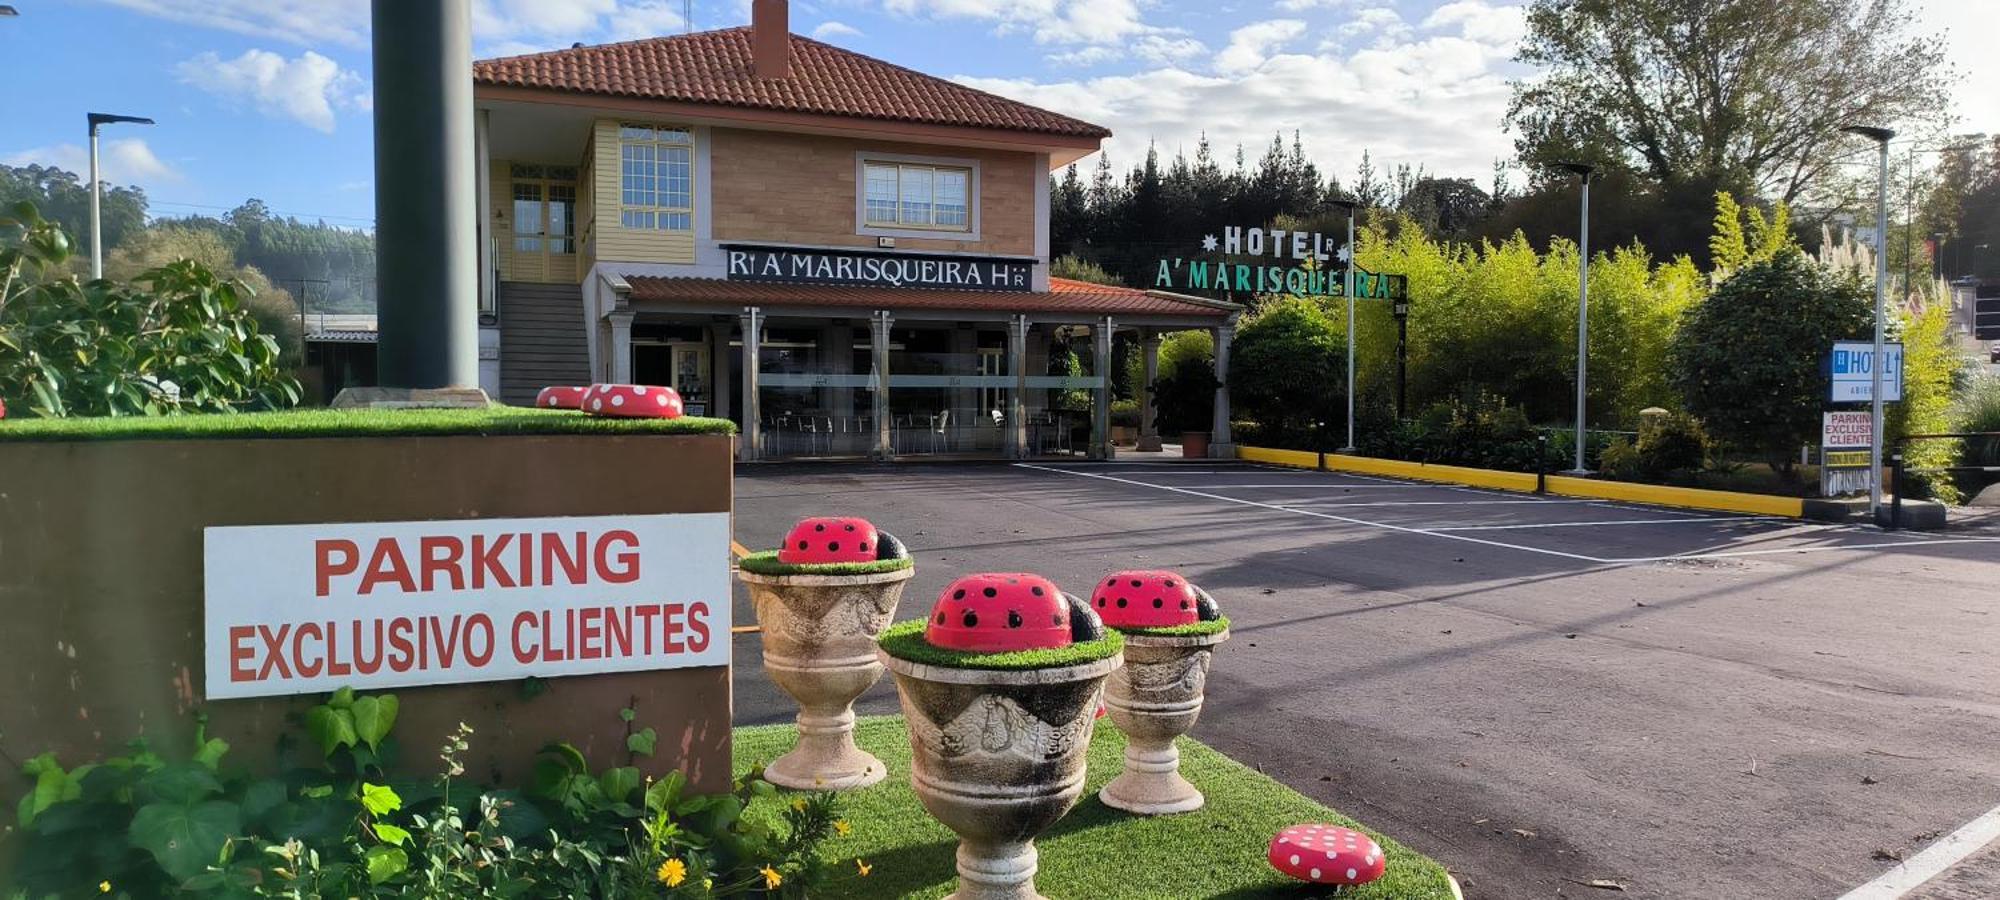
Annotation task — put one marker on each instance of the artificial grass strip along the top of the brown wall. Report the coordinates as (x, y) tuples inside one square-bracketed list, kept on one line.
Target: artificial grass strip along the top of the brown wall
[(351, 425)]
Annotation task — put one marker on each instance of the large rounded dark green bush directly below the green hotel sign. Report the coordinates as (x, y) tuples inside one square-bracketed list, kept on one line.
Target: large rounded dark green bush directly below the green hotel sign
[(1287, 369)]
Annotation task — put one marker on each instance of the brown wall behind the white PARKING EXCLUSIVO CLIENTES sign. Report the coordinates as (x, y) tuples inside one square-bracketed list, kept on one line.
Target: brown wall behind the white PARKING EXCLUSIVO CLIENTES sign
[(101, 589)]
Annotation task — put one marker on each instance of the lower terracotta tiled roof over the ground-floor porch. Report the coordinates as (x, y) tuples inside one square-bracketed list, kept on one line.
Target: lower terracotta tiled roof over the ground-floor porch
[(1063, 297)]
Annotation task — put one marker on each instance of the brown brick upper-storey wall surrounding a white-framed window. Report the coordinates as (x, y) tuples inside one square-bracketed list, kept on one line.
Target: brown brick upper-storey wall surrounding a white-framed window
[(799, 189)]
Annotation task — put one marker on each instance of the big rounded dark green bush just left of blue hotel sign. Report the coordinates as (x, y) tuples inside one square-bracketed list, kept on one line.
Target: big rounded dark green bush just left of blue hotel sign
[(1747, 361)]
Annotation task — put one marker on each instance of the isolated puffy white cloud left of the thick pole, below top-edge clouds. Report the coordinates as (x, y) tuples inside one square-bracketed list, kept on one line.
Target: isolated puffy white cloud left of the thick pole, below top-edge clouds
[(307, 89)]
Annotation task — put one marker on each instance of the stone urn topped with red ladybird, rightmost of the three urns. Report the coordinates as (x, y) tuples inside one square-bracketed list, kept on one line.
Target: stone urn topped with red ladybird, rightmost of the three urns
[(1171, 633)]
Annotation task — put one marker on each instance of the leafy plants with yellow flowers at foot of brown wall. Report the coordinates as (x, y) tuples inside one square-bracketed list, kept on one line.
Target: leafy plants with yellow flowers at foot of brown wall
[(147, 825)]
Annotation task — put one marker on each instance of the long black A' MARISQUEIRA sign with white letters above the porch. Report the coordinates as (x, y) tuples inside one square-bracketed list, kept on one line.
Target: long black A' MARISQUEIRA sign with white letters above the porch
[(877, 271)]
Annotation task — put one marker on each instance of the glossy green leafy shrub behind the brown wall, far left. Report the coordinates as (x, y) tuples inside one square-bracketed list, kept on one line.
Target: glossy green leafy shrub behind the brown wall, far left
[(179, 341)]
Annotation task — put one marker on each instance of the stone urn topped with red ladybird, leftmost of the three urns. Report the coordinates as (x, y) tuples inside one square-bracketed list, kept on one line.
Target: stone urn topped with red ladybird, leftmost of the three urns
[(821, 603)]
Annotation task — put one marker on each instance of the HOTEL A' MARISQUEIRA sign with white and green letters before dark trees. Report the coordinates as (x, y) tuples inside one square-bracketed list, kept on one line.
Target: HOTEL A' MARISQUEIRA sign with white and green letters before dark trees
[(1275, 261)]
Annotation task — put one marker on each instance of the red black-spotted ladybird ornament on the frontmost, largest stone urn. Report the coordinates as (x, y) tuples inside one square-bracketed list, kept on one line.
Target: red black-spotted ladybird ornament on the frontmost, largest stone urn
[(997, 613)]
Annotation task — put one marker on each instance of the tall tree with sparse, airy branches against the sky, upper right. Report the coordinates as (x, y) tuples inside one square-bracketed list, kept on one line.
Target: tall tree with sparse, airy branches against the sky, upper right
[(1721, 93)]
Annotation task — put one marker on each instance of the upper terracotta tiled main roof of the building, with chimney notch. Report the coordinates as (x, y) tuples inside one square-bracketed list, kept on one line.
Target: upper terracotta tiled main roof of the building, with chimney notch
[(717, 69)]
